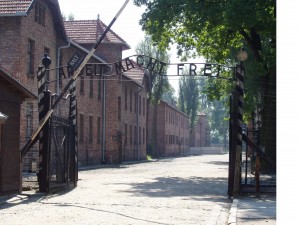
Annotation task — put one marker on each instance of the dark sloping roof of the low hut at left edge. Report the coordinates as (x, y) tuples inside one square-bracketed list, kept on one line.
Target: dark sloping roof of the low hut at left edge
[(14, 85)]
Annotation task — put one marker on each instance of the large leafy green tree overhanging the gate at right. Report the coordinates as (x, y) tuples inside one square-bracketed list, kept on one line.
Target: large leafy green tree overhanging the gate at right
[(217, 29)]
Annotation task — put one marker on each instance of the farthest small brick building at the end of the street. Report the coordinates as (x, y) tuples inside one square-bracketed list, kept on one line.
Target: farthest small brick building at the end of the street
[(200, 136)]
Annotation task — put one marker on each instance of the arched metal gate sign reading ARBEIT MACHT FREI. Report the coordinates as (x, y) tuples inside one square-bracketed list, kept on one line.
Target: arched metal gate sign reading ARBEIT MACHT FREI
[(151, 64)]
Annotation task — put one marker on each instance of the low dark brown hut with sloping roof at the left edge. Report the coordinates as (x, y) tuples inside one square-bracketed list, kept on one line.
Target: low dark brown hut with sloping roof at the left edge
[(12, 94)]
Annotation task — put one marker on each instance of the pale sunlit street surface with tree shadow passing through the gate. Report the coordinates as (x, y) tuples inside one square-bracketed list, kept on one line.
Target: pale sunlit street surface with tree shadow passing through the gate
[(187, 190)]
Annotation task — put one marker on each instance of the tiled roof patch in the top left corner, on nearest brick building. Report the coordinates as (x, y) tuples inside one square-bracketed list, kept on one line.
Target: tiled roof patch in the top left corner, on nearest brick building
[(14, 8)]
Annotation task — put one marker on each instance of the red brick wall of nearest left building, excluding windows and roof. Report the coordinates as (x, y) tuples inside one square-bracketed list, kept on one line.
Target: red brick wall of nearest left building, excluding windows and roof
[(14, 35)]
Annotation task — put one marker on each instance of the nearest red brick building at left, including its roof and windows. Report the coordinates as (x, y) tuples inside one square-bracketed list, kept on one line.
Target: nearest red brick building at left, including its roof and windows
[(28, 29)]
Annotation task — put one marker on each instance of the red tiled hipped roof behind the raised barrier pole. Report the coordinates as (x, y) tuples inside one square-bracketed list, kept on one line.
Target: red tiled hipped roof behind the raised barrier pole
[(88, 32)]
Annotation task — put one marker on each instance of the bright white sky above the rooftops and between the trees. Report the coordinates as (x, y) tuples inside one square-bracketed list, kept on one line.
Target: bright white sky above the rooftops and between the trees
[(126, 26)]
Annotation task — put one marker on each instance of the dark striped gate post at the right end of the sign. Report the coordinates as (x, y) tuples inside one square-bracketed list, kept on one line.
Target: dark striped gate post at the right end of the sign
[(238, 148)]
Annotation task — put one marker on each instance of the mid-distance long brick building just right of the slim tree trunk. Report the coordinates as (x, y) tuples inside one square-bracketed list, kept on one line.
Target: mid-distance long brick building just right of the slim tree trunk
[(173, 135)]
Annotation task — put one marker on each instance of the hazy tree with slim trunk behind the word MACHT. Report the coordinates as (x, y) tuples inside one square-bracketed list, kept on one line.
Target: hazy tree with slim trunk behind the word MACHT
[(159, 84)]
